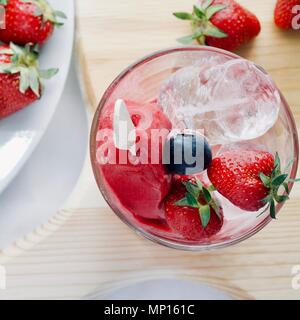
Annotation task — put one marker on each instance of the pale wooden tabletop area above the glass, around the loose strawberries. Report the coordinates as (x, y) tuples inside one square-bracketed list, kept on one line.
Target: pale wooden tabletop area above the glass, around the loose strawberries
[(114, 34)]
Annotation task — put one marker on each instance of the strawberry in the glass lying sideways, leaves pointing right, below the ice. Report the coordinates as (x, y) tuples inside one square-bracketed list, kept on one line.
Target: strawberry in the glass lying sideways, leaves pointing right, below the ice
[(250, 179)]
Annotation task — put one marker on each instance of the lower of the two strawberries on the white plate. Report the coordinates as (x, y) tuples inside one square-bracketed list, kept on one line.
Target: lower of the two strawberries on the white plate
[(20, 78)]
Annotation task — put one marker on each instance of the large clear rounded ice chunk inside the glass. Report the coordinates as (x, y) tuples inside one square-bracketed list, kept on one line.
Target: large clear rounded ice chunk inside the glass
[(231, 101)]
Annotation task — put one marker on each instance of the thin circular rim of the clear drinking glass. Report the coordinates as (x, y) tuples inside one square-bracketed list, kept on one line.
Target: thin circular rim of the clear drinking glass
[(158, 239)]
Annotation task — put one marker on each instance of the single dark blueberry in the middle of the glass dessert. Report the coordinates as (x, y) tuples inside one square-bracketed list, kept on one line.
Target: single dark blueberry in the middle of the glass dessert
[(187, 153)]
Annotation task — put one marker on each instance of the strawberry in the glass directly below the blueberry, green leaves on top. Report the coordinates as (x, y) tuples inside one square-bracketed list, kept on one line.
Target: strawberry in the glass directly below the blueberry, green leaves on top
[(192, 212)]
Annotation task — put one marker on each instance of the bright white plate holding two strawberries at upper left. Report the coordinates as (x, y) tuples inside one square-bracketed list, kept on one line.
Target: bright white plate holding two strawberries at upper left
[(21, 132)]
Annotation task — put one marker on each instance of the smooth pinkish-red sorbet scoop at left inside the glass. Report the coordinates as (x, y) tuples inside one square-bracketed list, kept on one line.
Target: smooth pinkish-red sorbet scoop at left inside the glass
[(140, 187)]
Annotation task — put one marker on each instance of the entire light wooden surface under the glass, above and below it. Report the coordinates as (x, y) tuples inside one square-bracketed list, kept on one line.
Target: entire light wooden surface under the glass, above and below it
[(85, 246)]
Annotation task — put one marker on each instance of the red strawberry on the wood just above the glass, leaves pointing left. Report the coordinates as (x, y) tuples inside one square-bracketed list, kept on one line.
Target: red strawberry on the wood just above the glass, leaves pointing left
[(220, 23)]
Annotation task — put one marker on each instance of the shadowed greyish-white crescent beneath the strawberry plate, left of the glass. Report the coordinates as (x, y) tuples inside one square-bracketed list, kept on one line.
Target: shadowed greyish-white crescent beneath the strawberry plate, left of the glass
[(25, 205)]
